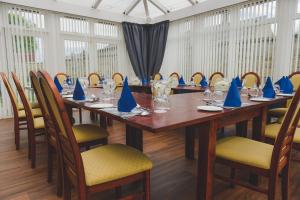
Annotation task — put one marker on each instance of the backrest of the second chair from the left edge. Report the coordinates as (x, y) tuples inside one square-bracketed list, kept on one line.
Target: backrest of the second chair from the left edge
[(25, 101)]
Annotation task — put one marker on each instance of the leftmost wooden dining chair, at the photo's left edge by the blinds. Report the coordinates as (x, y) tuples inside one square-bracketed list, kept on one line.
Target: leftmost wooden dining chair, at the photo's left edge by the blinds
[(20, 120)]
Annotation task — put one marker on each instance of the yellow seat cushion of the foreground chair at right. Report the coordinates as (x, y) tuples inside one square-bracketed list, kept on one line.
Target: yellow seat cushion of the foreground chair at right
[(245, 151)]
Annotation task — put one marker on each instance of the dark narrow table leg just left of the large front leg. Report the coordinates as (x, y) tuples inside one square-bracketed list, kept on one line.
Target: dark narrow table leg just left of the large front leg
[(190, 142)]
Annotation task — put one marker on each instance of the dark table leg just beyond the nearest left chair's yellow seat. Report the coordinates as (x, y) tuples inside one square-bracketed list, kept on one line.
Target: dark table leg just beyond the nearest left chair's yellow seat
[(134, 137)]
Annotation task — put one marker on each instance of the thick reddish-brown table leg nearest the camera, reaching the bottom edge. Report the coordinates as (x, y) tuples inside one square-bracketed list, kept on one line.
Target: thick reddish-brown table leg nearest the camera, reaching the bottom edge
[(206, 158)]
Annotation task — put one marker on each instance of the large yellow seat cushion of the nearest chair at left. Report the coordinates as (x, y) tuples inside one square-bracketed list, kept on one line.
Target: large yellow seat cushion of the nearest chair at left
[(112, 162)]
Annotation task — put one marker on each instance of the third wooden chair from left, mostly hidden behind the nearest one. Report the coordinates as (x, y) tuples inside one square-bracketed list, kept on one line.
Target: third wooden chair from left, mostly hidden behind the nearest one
[(86, 135)]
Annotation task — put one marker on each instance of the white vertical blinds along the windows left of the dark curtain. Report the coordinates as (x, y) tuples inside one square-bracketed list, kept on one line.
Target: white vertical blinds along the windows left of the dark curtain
[(33, 39)]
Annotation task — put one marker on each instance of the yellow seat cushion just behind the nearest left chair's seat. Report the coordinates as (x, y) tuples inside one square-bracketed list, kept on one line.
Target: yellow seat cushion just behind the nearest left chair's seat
[(88, 132)]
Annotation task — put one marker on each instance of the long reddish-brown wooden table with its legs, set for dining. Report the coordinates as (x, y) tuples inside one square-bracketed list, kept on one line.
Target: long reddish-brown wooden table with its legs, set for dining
[(183, 113)]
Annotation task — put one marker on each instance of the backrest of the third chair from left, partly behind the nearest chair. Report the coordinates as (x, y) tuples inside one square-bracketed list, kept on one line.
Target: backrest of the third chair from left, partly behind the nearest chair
[(42, 102)]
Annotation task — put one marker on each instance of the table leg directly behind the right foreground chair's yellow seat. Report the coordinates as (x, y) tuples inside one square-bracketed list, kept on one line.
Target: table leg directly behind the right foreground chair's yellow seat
[(258, 131)]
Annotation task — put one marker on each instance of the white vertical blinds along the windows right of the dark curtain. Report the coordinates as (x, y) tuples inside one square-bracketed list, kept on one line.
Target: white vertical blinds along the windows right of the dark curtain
[(232, 40)]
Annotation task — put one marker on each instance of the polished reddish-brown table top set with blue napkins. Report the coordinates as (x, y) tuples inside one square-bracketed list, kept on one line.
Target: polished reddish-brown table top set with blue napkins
[(183, 110)]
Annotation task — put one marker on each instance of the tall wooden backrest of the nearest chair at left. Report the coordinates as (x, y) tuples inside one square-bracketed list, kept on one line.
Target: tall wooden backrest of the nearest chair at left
[(67, 145)]
